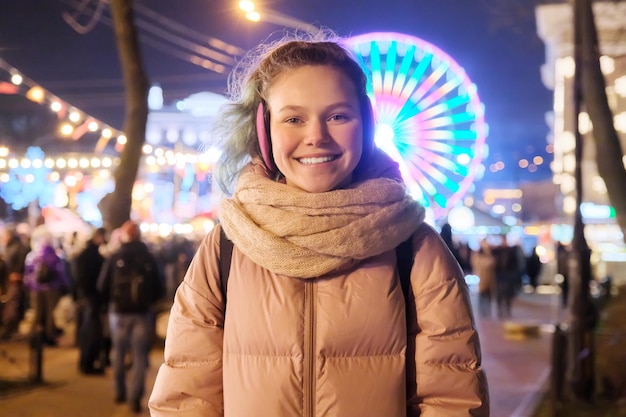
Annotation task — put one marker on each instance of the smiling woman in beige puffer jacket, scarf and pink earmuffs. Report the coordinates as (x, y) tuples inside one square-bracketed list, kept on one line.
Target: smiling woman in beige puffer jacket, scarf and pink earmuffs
[(313, 319)]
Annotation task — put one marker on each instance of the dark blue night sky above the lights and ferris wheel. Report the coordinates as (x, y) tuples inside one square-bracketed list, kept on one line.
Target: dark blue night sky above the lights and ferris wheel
[(495, 41)]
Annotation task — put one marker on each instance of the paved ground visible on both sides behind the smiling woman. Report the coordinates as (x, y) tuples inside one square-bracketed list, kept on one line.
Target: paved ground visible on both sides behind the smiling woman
[(516, 369)]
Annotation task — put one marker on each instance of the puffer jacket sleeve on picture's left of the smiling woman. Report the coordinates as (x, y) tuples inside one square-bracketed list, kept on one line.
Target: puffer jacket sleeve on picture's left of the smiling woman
[(189, 382)]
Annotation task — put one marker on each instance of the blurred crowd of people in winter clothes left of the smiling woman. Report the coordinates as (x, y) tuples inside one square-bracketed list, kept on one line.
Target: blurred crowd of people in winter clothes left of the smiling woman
[(112, 282)]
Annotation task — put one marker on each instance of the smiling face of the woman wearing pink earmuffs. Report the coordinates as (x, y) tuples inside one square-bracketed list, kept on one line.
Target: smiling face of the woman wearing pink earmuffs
[(316, 128)]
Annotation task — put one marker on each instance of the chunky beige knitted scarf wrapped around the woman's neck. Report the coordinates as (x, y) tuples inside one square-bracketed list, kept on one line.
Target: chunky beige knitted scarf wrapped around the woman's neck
[(306, 235)]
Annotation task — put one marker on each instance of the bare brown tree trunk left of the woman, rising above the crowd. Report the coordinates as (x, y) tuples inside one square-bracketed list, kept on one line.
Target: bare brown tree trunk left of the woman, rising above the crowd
[(116, 206)]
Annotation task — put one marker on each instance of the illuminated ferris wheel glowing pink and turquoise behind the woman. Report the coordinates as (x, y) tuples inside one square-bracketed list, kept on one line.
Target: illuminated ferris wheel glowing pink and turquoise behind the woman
[(428, 116)]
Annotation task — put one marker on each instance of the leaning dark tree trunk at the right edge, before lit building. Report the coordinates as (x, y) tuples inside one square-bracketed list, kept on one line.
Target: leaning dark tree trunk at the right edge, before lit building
[(608, 149)]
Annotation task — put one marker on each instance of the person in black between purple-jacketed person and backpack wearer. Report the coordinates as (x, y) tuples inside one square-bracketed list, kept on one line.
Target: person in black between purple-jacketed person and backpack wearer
[(91, 334)]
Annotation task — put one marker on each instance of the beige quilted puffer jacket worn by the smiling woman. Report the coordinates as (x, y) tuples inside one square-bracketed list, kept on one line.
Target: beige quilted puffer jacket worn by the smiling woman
[(333, 346)]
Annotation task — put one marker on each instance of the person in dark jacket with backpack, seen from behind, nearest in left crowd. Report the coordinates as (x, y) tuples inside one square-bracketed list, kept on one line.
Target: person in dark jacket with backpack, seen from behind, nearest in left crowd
[(129, 285)]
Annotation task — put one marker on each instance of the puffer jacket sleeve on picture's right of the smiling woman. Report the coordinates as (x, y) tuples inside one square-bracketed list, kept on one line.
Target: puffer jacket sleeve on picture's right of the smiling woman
[(444, 374)]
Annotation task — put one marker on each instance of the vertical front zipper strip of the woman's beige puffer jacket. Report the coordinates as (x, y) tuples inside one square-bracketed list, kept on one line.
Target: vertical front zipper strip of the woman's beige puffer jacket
[(309, 348)]
